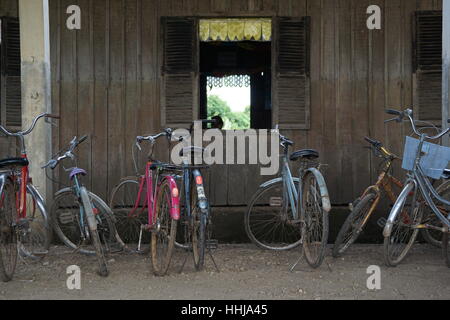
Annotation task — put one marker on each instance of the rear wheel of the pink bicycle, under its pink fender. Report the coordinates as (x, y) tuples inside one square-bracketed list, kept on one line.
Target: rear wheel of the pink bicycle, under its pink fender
[(163, 238)]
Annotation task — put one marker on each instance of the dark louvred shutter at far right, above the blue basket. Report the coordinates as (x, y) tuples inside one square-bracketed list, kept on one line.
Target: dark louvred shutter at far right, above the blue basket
[(428, 65)]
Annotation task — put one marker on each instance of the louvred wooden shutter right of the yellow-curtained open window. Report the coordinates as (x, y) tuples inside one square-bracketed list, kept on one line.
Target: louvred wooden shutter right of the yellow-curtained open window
[(292, 81)]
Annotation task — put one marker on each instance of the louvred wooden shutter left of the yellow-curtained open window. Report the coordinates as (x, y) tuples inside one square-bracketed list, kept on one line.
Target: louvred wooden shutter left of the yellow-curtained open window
[(180, 72)]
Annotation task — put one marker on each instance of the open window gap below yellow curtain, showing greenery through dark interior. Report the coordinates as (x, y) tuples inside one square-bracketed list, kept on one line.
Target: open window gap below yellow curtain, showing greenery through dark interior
[(235, 83)]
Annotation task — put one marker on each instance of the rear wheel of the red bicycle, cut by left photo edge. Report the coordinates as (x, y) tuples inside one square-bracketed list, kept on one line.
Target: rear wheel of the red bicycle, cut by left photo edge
[(8, 232)]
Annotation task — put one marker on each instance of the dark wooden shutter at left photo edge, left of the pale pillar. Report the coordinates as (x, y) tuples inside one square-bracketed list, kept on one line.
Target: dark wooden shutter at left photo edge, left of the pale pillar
[(10, 83)]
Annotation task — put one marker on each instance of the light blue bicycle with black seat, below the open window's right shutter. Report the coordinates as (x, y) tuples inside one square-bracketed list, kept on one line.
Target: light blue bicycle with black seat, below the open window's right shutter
[(286, 211)]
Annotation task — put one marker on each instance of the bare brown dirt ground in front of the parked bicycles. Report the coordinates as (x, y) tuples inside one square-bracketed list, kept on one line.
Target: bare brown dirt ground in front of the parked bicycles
[(245, 273)]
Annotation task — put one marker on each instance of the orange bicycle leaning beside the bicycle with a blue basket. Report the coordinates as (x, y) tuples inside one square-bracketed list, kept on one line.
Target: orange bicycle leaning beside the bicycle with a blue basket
[(362, 208)]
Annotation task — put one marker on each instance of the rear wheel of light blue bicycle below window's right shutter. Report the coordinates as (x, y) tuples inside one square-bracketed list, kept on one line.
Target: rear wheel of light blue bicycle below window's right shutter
[(314, 221)]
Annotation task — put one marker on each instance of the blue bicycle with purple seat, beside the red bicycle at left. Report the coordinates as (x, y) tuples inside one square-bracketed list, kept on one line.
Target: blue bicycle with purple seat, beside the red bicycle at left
[(81, 219)]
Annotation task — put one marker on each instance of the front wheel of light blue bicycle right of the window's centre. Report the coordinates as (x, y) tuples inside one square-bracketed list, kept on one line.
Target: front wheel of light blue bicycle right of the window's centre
[(258, 205)]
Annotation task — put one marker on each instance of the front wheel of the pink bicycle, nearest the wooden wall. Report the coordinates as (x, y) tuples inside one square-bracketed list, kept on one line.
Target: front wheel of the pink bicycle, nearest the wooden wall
[(128, 219)]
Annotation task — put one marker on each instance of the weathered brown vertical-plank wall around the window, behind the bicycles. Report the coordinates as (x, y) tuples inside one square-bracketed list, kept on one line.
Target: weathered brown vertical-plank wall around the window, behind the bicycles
[(106, 82)]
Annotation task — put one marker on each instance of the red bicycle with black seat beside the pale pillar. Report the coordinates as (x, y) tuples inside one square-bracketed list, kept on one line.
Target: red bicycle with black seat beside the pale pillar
[(24, 223)]
